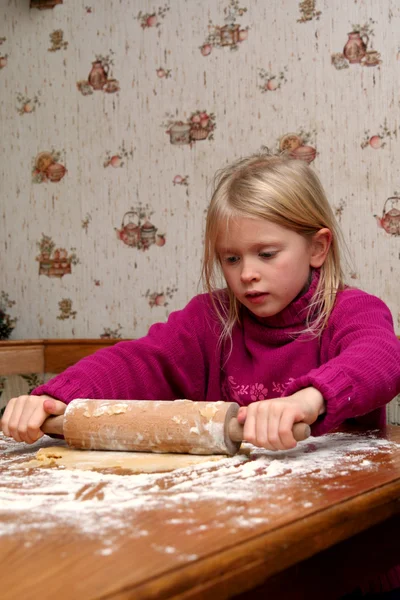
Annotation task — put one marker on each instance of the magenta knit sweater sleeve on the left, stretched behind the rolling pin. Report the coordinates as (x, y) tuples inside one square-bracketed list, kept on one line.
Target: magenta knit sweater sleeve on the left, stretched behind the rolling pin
[(167, 364)]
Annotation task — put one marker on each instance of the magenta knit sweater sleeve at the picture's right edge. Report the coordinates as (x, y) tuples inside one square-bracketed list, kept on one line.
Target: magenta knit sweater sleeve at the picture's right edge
[(360, 354)]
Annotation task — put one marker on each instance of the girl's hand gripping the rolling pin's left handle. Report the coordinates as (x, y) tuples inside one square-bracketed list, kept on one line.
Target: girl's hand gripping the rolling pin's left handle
[(25, 415)]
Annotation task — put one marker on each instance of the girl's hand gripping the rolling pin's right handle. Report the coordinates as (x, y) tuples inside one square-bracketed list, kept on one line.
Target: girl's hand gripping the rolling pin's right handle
[(268, 423)]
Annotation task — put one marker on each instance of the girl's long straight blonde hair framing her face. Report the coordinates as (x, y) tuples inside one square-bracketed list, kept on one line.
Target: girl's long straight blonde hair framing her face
[(284, 191)]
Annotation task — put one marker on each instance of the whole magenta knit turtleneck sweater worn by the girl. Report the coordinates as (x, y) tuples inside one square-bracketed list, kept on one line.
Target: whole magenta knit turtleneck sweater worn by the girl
[(355, 364)]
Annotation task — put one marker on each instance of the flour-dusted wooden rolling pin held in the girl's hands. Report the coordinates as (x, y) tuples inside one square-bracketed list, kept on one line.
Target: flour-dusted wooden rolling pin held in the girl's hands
[(154, 426)]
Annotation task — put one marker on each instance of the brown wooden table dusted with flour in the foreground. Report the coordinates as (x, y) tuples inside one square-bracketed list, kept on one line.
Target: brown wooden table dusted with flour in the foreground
[(203, 533)]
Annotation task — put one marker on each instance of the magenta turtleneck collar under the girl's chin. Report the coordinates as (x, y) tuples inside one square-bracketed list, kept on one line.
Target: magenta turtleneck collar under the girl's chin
[(295, 314)]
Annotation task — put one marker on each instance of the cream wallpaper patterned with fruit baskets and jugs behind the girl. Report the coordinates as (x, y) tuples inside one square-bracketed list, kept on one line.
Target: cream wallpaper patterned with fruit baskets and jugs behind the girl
[(115, 115)]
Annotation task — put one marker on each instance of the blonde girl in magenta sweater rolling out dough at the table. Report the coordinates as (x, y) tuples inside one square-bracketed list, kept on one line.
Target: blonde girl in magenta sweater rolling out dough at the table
[(286, 339)]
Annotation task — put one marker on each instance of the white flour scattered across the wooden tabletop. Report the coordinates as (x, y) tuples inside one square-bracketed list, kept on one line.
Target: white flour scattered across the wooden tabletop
[(248, 490)]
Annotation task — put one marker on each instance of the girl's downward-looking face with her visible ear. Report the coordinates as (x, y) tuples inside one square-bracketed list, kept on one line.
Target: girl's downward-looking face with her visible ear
[(265, 265)]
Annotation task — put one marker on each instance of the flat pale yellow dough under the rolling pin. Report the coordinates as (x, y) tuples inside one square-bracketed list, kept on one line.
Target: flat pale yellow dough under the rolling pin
[(101, 460)]
